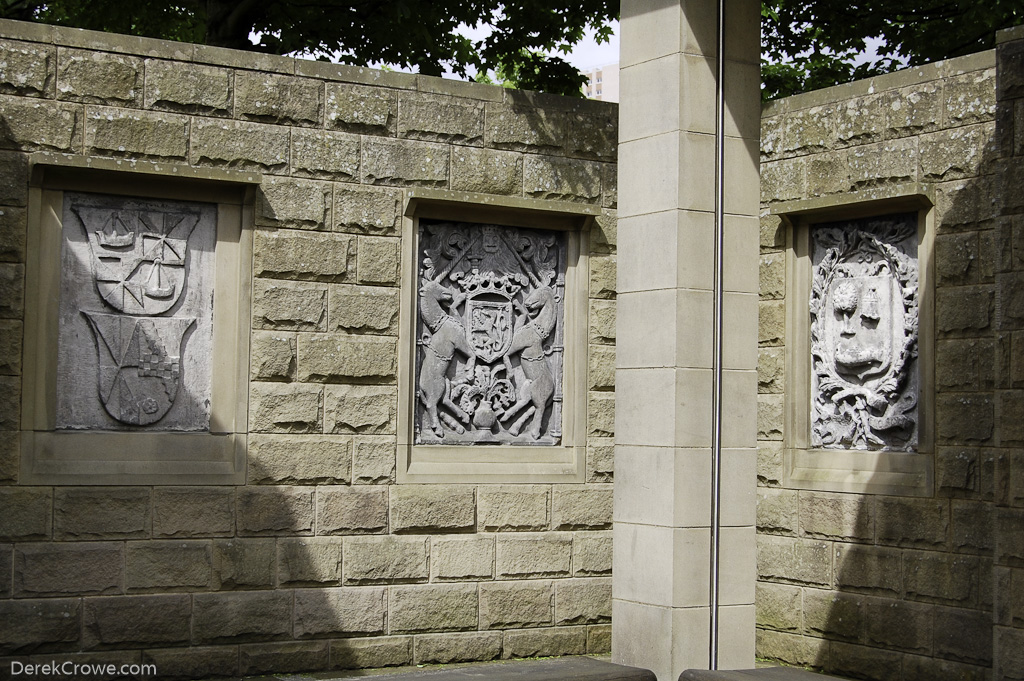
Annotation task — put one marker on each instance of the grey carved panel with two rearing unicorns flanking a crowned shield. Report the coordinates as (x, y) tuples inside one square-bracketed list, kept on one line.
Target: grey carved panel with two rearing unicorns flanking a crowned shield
[(490, 335)]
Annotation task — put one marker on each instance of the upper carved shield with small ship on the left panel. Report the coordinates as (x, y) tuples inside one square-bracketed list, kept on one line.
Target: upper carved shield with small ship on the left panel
[(139, 257)]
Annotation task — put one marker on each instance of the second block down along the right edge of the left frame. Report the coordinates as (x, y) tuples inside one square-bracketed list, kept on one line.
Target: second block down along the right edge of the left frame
[(304, 256)]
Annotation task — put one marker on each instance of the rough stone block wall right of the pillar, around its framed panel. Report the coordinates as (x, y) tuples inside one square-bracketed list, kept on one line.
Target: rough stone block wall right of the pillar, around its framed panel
[(886, 586)]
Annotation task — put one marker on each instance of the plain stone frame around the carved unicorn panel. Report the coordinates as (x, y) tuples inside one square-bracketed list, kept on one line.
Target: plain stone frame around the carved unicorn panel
[(563, 463)]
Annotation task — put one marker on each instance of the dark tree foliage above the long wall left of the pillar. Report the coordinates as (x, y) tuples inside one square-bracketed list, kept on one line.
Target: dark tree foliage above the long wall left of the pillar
[(405, 33)]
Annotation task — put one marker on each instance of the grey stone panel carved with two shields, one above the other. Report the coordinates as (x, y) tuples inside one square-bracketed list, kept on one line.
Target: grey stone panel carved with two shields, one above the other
[(136, 330)]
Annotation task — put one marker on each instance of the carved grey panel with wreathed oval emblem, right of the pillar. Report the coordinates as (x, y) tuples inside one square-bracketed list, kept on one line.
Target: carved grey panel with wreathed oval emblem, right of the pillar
[(865, 334)]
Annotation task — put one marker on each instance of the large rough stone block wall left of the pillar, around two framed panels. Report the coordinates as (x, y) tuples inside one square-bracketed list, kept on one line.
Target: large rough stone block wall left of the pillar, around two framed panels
[(321, 560)]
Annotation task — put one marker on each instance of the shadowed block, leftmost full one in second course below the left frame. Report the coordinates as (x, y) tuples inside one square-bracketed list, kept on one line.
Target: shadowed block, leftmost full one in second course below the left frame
[(89, 569)]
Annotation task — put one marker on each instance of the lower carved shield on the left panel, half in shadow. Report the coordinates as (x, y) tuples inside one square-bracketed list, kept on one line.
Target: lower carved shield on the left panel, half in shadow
[(140, 365)]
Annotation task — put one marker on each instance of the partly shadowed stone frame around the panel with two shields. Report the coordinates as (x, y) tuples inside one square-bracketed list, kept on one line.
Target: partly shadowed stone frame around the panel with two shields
[(215, 457)]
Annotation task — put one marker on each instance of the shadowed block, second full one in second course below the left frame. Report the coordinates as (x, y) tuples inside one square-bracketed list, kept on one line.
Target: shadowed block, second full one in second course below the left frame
[(168, 566)]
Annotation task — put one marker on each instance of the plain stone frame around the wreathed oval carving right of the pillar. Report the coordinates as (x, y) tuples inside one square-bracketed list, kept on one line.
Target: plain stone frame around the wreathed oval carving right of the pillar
[(859, 472)]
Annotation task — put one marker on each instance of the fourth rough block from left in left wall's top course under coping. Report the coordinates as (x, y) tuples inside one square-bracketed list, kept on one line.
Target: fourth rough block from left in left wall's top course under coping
[(274, 99)]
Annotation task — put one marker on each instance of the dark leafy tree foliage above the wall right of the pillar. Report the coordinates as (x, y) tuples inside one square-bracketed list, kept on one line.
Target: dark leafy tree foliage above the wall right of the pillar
[(809, 45)]
